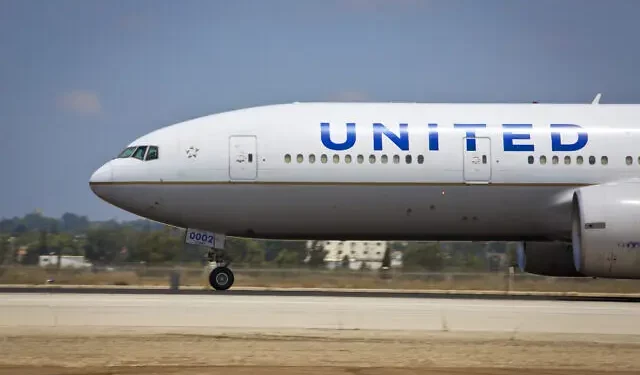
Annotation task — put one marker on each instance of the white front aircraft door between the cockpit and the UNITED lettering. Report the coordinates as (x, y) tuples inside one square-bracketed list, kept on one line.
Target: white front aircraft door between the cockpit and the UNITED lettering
[(243, 160)]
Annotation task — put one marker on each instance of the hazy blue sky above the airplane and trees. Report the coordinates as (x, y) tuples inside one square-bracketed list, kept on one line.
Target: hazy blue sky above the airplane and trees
[(79, 80)]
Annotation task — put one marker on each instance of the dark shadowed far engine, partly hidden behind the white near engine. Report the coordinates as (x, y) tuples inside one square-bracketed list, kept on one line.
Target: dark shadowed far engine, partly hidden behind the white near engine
[(547, 259)]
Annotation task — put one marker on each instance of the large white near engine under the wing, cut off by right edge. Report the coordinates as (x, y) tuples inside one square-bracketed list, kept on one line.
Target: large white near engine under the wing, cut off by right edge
[(606, 230)]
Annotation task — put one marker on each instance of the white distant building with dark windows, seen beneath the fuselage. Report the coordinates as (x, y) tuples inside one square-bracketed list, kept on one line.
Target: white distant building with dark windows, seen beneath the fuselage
[(358, 253)]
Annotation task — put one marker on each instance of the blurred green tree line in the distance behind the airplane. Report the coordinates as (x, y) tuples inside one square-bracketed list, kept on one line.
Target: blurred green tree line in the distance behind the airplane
[(142, 241)]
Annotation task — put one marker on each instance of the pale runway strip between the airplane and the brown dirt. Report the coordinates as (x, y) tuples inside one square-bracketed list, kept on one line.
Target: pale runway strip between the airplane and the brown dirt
[(184, 313)]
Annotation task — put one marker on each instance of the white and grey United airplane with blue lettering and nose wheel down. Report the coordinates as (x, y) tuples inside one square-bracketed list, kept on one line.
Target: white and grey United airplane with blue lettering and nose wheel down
[(560, 179)]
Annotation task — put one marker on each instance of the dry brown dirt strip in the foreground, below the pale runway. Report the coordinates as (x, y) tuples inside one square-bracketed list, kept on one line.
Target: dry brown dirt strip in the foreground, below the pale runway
[(312, 352)]
